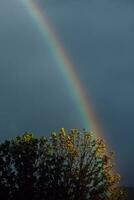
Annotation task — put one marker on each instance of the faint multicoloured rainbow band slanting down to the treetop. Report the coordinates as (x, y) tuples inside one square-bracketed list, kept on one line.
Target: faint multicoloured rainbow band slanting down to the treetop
[(66, 67)]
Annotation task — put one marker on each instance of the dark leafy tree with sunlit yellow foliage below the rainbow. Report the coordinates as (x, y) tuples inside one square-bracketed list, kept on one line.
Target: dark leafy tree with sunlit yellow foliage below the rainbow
[(67, 166)]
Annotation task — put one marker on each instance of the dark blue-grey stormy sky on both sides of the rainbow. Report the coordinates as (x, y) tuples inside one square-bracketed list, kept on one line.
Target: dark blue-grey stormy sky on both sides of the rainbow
[(99, 38)]
